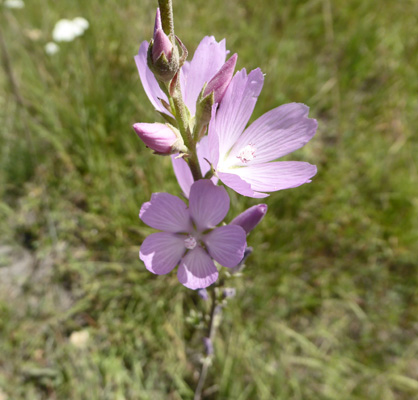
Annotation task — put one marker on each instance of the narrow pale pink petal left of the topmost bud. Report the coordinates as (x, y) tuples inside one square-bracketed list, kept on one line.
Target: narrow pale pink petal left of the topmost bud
[(149, 83)]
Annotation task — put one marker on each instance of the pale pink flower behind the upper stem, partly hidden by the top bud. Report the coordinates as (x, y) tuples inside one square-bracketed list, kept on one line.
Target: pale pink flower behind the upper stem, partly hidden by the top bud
[(208, 59)]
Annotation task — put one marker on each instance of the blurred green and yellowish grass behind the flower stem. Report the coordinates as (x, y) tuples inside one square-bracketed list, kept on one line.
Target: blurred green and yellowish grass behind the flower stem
[(327, 308)]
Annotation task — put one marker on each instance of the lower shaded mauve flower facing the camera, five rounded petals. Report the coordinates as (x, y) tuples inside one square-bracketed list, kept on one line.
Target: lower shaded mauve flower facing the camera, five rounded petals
[(189, 237)]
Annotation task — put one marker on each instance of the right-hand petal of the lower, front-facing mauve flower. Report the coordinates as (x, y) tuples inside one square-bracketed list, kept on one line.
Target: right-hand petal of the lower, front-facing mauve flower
[(226, 244)]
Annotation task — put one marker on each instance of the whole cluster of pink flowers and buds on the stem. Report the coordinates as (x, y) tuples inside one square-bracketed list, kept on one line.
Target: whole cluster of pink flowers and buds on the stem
[(207, 109)]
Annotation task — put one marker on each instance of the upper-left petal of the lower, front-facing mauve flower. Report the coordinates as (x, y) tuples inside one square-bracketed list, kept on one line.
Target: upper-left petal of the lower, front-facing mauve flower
[(166, 213)]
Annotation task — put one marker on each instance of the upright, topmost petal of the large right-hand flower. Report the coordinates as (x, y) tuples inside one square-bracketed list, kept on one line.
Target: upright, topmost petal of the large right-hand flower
[(236, 108)]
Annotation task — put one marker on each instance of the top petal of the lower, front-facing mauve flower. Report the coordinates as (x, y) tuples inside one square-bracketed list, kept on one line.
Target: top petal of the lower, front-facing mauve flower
[(208, 204)]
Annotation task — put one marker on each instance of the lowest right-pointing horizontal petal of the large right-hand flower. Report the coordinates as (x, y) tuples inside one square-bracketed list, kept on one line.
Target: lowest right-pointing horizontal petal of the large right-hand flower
[(279, 175)]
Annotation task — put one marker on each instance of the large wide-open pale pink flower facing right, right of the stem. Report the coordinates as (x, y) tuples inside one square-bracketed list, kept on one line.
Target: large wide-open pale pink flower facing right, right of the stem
[(244, 158)]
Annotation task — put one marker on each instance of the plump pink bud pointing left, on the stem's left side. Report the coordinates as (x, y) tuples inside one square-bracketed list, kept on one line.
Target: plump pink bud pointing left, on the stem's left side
[(163, 139)]
